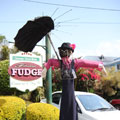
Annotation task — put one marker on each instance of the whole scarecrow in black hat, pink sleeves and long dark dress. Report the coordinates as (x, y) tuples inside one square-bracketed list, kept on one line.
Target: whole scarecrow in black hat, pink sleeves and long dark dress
[(68, 109)]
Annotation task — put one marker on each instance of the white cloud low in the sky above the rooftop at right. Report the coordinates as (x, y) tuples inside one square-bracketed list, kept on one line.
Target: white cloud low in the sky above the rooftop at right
[(111, 48)]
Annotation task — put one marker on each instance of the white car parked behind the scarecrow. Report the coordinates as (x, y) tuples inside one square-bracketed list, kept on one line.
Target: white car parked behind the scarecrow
[(90, 106)]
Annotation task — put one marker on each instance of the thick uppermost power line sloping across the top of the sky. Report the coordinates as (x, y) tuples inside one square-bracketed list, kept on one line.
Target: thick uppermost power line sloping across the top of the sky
[(72, 6)]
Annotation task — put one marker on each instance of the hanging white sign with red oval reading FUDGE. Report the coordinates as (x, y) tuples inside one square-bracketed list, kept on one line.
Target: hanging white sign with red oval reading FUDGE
[(25, 71)]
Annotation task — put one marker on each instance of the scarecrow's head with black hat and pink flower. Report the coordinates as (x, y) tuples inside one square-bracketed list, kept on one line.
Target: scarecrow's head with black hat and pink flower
[(66, 49)]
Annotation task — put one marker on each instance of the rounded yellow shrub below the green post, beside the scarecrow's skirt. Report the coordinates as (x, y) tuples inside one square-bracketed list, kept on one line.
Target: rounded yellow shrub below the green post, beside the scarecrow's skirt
[(42, 111)]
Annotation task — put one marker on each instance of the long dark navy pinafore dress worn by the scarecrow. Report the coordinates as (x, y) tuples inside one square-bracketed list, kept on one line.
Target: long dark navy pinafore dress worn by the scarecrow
[(68, 109)]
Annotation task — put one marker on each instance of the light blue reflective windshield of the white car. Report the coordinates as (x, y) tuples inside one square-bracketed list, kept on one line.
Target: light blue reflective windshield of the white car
[(94, 102)]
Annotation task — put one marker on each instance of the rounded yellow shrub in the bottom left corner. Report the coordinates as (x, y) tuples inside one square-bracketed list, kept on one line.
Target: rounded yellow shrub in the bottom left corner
[(12, 108)]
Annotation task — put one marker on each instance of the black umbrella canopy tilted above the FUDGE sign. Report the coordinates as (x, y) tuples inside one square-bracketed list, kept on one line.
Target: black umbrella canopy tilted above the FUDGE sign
[(32, 32)]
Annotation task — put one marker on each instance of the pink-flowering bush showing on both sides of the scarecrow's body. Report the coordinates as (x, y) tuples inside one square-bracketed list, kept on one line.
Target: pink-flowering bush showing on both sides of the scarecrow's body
[(85, 81)]
